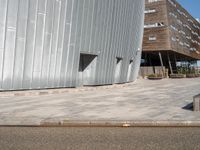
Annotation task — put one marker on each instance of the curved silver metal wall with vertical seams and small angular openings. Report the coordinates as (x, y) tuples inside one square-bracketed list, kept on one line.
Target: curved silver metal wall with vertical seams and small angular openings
[(44, 43)]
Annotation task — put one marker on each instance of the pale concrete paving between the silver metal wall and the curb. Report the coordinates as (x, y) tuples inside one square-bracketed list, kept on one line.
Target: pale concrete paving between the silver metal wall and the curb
[(162, 100)]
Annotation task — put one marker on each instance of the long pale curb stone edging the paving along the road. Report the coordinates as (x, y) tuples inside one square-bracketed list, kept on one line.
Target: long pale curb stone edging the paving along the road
[(67, 123)]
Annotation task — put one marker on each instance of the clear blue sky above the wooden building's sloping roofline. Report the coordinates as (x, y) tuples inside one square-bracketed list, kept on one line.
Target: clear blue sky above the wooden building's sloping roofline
[(192, 6)]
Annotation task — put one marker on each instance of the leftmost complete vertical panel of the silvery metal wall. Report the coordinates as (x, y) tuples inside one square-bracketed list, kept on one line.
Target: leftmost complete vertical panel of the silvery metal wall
[(10, 40)]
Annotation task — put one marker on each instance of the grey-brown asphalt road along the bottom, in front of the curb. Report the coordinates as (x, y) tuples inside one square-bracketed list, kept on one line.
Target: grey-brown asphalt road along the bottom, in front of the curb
[(99, 138)]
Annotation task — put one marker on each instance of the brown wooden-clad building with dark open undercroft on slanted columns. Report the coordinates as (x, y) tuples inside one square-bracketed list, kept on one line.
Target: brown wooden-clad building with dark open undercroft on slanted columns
[(171, 35)]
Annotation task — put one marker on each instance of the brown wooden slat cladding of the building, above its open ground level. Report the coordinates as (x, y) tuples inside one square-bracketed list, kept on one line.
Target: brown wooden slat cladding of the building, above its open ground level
[(180, 32)]
